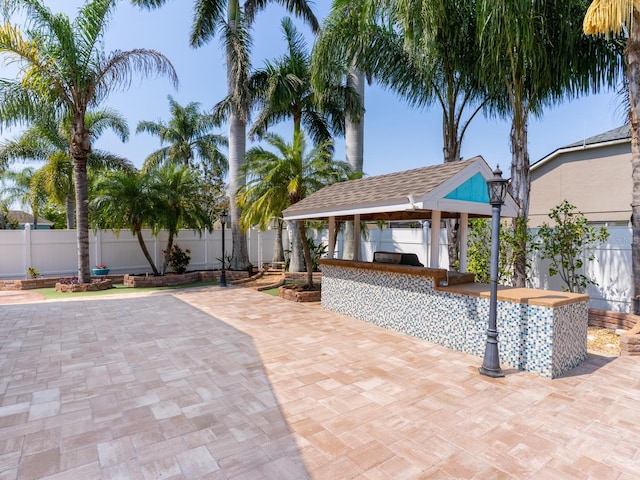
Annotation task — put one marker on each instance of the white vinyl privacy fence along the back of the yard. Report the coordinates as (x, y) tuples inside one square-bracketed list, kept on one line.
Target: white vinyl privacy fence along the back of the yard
[(54, 253)]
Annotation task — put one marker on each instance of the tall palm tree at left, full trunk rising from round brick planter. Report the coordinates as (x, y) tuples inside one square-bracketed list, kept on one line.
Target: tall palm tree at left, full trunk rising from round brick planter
[(63, 67)]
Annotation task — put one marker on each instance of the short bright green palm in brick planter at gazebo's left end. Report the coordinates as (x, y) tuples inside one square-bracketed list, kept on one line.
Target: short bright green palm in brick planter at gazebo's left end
[(278, 180)]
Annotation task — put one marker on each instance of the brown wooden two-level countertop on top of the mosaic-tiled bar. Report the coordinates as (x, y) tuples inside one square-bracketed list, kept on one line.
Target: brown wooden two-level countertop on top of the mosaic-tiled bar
[(530, 296)]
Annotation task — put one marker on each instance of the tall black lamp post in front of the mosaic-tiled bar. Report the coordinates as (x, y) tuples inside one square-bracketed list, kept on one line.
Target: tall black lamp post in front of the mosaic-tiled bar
[(497, 187)]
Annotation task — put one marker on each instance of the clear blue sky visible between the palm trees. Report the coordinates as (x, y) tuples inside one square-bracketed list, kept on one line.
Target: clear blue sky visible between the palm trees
[(396, 136)]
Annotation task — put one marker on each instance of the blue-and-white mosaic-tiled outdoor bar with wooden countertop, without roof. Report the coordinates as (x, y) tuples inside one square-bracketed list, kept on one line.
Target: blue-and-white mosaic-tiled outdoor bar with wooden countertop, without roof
[(539, 331)]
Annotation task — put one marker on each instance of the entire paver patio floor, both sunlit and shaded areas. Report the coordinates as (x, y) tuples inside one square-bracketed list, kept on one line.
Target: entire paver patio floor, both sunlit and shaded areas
[(234, 384)]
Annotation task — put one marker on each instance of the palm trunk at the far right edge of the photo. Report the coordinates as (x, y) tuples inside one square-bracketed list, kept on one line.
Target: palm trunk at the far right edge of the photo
[(633, 72)]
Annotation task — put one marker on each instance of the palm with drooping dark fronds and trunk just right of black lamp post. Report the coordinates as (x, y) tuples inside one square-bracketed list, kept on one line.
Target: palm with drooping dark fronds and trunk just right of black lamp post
[(533, 55)]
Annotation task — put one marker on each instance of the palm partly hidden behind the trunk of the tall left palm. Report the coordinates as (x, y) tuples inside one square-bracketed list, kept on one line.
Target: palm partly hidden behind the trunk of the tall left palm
[(48, 139)]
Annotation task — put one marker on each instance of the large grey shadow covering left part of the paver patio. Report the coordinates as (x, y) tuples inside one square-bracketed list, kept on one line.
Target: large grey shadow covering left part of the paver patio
[(147, 386)]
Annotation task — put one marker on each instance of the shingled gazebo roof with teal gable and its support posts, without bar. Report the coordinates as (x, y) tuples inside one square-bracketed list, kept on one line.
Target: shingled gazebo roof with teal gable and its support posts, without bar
[(456, 190)]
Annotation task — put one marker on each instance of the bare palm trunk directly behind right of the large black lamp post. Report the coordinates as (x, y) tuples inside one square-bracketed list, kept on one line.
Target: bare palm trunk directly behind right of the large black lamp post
[(520, 188)]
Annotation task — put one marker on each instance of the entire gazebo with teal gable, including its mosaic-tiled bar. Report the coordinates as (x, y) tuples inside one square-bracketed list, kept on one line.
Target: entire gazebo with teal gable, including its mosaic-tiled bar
[(540, 331)]
